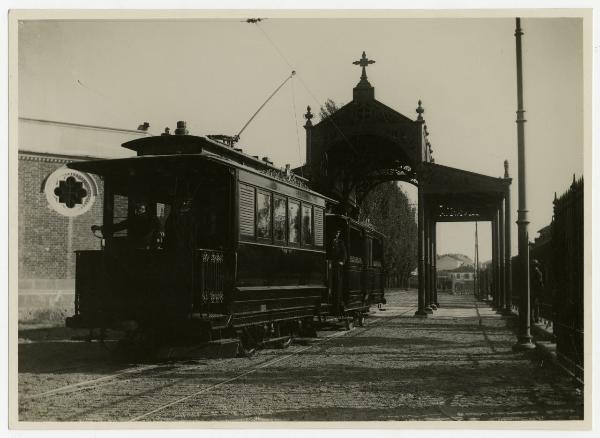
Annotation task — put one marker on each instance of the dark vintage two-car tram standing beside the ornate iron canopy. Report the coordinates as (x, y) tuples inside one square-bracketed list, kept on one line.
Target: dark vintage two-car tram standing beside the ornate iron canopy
[(226, 245)]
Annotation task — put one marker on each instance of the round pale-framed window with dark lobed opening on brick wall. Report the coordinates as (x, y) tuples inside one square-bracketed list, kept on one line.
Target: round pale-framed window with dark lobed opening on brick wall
[(70, 192)]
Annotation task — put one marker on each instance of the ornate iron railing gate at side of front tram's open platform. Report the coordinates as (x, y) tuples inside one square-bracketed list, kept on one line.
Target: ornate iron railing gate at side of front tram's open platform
[(209, 279)]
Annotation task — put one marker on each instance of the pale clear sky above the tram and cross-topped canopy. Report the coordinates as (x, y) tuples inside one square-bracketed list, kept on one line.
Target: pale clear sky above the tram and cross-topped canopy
[(216, 73)]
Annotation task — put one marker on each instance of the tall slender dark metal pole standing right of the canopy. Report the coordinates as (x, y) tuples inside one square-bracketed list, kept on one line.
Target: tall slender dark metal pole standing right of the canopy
[(524, 335)]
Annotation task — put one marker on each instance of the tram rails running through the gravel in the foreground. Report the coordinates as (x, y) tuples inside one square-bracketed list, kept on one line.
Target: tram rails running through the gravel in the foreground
[(157, 370)]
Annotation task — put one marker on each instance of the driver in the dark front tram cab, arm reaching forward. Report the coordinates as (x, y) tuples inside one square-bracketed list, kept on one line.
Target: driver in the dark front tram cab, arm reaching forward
[(143, 229)]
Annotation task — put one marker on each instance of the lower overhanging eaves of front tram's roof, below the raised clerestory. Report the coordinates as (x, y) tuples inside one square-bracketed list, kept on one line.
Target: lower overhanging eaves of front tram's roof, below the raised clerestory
[(175, 163)]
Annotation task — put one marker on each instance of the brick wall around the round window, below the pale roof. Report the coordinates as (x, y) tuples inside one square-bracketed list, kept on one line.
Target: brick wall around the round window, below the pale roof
[(47, 241)]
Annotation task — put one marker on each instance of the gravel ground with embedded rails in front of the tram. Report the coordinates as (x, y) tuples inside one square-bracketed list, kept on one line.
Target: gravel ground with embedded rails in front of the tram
[(456, 365)]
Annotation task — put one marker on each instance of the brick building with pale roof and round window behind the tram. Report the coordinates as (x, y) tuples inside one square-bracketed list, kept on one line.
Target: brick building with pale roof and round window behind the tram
[(56, 208)]
